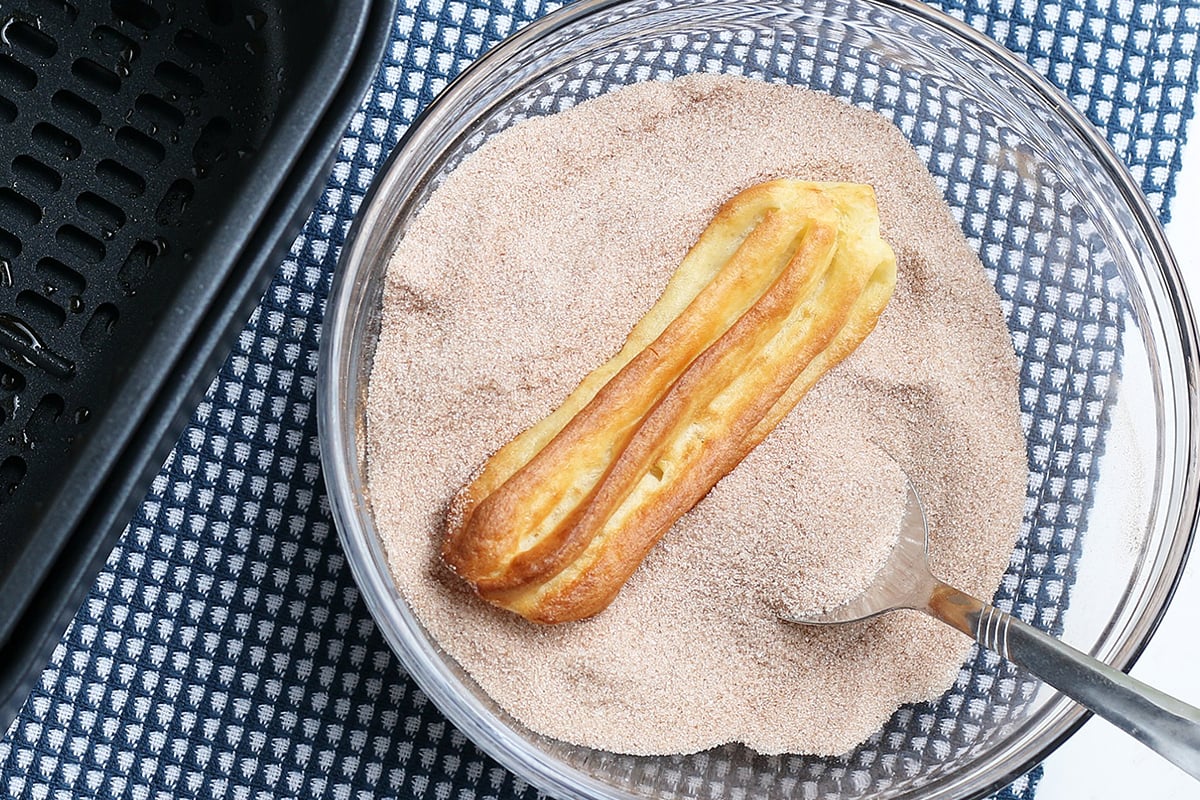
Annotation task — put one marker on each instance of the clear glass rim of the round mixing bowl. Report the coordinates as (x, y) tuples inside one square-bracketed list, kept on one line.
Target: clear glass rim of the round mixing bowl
[(345, 491)]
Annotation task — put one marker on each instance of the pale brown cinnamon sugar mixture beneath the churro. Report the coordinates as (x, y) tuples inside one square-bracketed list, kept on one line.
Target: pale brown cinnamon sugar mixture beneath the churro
[(526, 270)]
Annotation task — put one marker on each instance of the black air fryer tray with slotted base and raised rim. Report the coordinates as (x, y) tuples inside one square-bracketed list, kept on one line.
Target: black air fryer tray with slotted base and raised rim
[(157, 159)]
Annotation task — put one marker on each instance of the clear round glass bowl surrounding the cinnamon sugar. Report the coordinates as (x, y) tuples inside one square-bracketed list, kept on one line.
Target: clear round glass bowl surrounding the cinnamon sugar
[(1094, 302)]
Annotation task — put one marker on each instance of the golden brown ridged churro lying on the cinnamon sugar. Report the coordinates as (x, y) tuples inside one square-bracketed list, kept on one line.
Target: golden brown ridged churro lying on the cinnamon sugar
[(785, 282)]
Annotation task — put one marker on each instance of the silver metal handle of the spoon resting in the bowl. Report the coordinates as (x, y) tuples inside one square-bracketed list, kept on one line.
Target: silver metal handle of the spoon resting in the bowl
[(1157, 720)]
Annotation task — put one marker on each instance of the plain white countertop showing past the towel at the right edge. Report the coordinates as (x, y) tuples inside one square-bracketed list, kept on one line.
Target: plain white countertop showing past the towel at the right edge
[(1100, 762)]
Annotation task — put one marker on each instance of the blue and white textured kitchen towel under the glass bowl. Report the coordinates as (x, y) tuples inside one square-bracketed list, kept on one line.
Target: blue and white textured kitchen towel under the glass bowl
[(225, 652)]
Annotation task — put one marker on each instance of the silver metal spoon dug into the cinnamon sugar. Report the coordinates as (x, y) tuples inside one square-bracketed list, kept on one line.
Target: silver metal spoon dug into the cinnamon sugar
[(1157, 720)]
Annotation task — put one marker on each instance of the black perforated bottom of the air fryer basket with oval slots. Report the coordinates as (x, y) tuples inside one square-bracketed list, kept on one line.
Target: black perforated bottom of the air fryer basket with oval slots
[(127, 130)]
